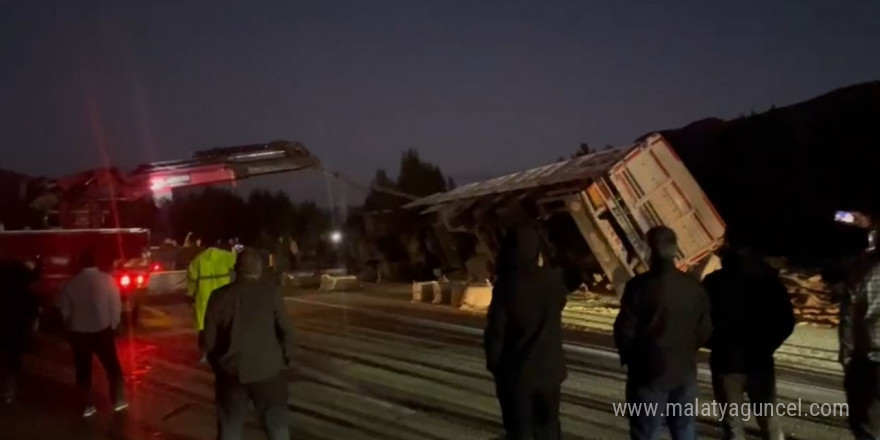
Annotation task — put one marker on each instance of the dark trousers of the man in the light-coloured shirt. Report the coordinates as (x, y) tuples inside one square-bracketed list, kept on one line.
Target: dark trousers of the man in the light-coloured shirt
[(103, 345)]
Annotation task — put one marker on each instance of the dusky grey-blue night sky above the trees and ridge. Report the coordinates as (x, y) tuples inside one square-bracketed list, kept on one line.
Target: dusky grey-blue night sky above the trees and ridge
[(479, 87)]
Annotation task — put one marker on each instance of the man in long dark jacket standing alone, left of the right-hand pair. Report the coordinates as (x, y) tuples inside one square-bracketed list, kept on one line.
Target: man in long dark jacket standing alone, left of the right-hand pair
[(523, 337)]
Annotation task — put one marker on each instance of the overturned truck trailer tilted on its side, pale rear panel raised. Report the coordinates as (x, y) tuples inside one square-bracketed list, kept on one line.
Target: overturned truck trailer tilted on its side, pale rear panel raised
[(609, 198)]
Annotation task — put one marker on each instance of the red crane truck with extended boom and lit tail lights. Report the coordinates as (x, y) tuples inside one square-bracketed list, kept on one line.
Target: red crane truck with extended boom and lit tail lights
[(80, 213)]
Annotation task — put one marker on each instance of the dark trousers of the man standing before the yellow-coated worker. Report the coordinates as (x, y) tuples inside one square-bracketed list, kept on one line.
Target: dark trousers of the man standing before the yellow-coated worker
[(270, 400)]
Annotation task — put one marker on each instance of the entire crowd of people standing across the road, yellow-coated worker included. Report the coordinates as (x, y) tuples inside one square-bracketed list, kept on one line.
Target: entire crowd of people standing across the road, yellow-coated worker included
[(742, 312)]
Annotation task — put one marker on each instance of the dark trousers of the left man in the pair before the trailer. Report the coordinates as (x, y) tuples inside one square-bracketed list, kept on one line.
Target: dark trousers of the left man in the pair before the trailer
[(680, 421)]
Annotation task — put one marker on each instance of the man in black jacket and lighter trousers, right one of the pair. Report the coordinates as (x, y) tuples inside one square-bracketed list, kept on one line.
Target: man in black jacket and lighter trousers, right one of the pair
[(751, 317)]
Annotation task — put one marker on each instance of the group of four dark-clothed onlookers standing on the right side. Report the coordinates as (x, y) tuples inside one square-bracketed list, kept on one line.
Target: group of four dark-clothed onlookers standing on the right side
[(741, 312)]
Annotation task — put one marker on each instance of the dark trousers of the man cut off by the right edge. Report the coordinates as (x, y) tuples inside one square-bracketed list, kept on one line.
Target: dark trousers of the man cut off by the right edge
[(862, 384)]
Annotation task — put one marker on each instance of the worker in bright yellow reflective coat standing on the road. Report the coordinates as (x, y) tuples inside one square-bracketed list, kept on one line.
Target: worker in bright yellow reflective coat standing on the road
[(210, 270)]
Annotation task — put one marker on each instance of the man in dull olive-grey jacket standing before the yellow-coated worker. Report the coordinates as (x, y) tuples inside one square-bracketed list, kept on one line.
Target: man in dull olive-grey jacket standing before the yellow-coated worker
[(248, 338)]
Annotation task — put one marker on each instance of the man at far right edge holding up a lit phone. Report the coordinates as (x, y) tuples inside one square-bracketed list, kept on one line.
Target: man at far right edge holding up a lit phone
[(860, 338)]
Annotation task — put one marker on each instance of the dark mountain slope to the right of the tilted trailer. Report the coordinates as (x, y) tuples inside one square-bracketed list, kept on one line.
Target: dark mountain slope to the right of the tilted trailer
[(778, 176)]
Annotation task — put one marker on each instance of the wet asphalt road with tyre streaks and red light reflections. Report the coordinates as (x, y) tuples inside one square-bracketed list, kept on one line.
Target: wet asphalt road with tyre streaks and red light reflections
[(367, 367)]
